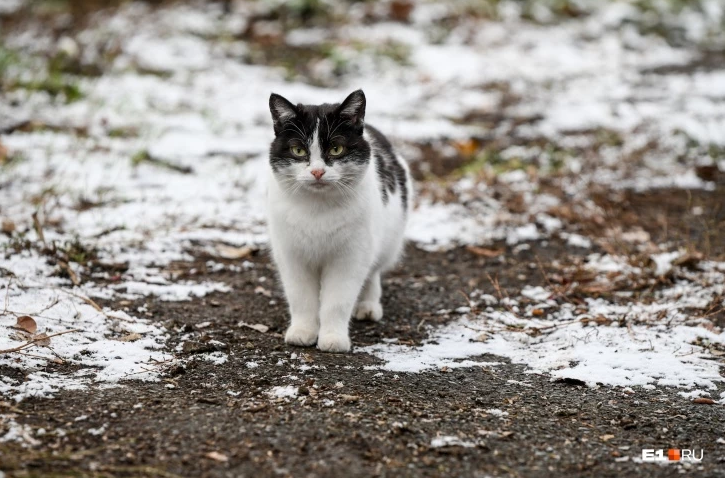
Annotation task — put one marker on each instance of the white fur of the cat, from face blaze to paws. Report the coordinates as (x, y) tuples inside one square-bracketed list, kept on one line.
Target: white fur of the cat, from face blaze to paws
[(331, 247)]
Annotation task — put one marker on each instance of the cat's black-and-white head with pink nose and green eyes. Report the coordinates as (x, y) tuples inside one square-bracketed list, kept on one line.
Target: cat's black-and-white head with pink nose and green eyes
[(319, 149)]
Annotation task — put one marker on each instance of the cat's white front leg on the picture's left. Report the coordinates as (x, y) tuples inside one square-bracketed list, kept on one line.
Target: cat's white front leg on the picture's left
[(302, 289)]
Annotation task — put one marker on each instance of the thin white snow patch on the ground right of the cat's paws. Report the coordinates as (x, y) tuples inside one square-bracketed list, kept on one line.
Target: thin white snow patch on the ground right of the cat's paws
[(660, 345)]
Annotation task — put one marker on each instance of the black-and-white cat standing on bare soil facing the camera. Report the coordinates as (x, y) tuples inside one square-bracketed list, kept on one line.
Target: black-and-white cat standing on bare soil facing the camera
[(338, 201)]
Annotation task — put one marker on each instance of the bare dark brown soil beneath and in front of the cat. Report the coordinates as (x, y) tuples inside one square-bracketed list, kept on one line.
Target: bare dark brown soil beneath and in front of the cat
[(219, 420)]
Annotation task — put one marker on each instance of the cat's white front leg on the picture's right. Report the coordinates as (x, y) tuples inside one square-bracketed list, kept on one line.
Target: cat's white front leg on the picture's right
[(341, 283)]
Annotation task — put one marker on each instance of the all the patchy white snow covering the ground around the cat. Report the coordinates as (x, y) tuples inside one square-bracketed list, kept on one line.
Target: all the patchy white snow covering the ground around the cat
[(164, 154)]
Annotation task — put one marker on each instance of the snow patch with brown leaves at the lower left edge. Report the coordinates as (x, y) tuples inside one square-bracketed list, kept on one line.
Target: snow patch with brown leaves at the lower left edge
[(98, 343)]
